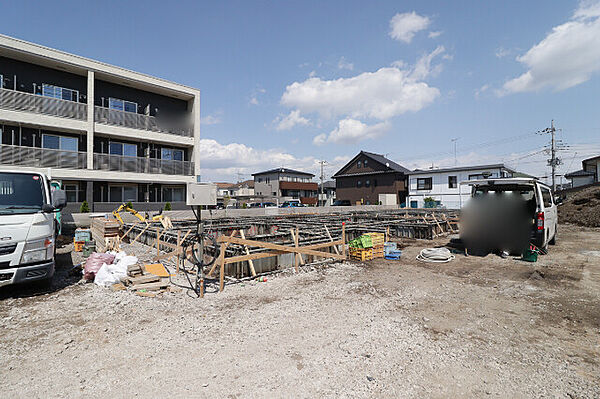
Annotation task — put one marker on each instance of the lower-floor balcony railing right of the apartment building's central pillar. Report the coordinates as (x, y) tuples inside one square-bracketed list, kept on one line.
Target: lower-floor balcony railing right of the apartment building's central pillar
[(120, 163)]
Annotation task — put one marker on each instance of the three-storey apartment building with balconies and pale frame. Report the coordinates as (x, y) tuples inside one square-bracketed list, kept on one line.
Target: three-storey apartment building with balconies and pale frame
[(108, 134)]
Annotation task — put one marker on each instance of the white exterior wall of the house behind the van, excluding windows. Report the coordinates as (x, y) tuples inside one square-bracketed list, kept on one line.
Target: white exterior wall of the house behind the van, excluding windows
[(451, 198)]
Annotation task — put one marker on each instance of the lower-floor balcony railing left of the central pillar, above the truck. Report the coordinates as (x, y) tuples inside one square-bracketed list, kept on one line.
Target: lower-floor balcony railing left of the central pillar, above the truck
[(42, 157)]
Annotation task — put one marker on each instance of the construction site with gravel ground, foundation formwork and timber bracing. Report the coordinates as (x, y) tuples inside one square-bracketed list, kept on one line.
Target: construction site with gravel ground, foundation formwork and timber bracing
[(291, 304)]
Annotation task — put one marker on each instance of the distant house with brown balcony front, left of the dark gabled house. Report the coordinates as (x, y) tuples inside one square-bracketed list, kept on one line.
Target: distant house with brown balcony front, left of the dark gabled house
[(284, 184)]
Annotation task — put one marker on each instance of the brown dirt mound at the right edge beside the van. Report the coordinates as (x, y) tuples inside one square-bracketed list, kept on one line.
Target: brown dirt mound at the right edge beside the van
[(582, 208)]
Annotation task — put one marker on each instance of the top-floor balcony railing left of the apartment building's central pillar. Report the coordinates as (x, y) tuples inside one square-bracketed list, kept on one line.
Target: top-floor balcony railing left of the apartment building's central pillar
[(21, 101)]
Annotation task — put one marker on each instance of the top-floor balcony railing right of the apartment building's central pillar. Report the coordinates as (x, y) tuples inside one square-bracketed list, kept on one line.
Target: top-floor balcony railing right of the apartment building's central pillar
[(132, 120)]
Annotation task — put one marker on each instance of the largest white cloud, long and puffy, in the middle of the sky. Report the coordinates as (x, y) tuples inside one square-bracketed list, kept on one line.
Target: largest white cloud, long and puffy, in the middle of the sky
[(382, 94)]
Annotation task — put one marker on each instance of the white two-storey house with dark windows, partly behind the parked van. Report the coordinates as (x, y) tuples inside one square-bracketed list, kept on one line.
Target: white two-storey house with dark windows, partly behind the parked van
[(443, 185)]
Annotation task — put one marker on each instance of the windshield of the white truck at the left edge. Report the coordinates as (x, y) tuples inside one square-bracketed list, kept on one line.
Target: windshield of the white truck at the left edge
[(21, 193)]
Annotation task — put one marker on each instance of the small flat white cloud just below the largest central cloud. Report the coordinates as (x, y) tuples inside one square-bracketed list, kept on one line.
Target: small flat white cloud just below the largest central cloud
[(351, 131)]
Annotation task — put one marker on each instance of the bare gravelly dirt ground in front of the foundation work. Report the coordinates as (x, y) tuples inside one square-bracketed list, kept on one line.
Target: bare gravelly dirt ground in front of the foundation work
[(474, 327)]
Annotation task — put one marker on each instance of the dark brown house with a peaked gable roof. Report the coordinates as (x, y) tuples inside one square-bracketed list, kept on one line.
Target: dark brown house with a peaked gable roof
[(367, 175)]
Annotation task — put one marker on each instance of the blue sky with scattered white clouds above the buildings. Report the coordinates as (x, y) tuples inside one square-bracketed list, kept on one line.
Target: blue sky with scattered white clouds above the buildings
[(291, 83)]
